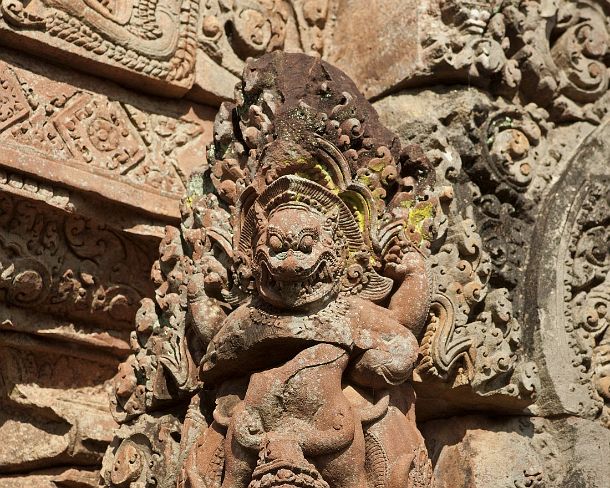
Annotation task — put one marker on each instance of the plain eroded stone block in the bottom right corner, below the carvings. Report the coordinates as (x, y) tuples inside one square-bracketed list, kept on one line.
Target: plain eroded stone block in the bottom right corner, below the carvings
[(471, 451)]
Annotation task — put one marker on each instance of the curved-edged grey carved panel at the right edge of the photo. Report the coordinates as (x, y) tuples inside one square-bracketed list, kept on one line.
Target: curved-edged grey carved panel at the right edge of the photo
[(570, 268)]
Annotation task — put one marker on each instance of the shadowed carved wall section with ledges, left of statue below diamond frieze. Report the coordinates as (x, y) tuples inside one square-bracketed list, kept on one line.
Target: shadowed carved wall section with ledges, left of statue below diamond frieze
[(69, 289)]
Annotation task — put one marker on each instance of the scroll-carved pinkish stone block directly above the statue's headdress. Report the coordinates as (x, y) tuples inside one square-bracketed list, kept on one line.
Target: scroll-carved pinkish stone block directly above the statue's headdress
[(231, 32)]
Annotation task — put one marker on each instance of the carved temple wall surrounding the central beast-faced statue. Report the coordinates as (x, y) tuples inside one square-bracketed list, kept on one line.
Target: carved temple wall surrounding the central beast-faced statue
[(106, 108)]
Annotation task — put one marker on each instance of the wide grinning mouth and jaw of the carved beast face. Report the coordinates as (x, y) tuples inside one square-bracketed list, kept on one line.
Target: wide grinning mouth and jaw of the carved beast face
[(308, 288)]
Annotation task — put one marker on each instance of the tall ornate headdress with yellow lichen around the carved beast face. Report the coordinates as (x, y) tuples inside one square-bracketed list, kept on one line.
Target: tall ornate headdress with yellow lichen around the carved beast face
[(292, 137)]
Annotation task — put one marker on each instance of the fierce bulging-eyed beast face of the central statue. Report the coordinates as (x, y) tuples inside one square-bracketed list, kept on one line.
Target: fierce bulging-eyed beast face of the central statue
[(297, 258)]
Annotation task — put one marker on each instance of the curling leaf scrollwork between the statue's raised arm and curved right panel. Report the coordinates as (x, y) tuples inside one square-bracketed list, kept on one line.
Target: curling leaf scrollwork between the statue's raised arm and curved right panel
[(463, 348)]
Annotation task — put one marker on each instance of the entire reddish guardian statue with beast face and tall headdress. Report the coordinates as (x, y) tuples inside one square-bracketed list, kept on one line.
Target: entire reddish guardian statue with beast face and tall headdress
[(329, 218)]
